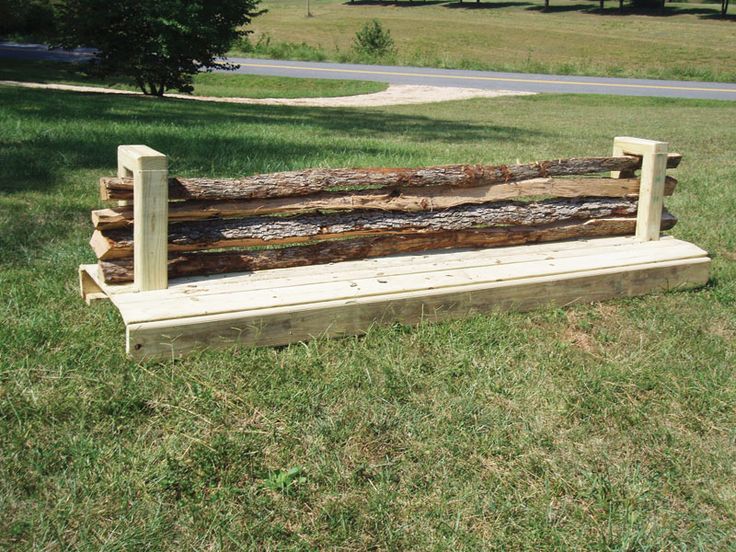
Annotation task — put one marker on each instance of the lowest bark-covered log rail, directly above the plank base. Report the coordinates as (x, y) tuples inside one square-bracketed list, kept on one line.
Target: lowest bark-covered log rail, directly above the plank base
[(120, 271)]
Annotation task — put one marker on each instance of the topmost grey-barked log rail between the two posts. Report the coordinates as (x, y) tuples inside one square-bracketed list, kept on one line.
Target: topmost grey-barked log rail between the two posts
[(310, 181)]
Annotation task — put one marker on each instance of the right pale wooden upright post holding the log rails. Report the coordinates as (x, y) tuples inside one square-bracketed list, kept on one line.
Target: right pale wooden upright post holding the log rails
[(651, 187)]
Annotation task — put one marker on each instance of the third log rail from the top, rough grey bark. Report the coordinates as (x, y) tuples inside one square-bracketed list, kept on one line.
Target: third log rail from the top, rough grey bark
[(254, 231)]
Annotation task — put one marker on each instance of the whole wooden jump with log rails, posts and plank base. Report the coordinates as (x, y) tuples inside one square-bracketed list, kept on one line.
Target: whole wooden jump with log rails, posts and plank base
[(276, 258)]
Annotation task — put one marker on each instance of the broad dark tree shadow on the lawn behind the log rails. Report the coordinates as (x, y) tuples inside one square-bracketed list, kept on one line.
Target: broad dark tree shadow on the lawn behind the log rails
[(67, 131)]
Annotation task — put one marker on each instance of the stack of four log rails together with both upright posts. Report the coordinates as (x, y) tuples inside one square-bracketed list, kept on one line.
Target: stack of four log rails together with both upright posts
[(198, 226)]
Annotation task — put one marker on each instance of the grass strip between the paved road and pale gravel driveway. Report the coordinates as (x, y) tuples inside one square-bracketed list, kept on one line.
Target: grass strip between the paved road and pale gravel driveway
[(205, 84)]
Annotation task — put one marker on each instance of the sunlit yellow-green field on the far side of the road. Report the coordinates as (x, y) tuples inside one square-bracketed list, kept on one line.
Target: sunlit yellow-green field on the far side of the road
[(688, 42)]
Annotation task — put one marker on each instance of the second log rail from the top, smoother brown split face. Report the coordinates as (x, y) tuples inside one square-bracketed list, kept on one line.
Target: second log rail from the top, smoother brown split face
[(386, 199)]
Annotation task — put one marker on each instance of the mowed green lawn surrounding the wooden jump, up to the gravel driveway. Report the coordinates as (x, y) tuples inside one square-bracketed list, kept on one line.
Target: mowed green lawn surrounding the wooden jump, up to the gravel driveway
[(607, 427)]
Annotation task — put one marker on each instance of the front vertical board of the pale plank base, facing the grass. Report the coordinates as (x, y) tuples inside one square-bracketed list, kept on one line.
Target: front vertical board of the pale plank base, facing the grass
[(167, 338)]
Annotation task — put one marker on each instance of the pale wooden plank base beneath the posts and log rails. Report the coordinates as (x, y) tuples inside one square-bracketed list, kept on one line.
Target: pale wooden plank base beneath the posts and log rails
[(280, 306)]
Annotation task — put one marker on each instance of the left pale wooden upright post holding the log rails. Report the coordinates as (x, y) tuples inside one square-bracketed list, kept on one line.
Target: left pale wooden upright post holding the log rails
[(149, 170)]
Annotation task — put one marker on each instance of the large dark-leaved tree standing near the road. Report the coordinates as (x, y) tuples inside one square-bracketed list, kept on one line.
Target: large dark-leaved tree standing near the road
[(160, 44)]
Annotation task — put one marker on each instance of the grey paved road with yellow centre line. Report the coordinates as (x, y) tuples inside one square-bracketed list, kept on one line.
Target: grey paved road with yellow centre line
[(439, 77)]
